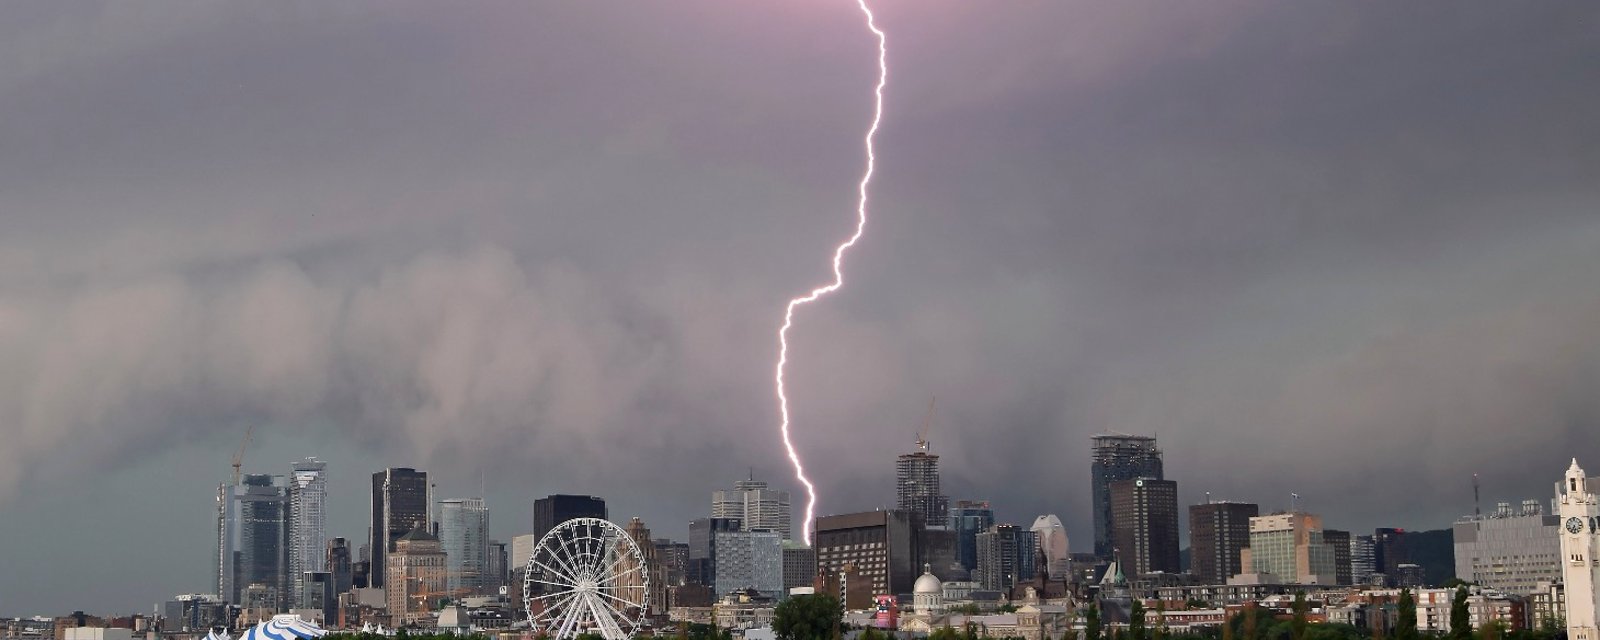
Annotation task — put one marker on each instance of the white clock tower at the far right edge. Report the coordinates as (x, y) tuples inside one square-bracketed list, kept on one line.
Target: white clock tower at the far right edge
[(1580, 553)]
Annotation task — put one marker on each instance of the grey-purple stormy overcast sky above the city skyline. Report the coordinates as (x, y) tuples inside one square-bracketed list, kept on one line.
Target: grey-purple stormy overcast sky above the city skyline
[(1348, 250)]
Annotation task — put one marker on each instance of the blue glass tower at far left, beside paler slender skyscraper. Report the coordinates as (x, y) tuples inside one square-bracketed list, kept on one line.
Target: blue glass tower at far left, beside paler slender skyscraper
[(252, 527)]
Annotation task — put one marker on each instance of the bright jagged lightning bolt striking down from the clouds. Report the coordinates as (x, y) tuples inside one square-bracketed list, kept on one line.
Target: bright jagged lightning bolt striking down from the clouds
[(839, 274)]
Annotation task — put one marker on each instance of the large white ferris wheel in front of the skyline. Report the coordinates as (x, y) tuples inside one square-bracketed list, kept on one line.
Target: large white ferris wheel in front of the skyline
[(586, 577)]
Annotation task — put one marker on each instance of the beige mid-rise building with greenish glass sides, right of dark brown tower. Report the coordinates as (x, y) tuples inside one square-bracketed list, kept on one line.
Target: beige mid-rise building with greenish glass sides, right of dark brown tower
[(1290, 548)]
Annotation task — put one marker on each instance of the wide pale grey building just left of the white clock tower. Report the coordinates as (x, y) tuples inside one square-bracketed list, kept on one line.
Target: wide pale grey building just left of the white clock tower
[(1510, 551)]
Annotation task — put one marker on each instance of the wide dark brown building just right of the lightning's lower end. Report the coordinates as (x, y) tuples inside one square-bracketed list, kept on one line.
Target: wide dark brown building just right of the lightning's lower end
[(879, 545)]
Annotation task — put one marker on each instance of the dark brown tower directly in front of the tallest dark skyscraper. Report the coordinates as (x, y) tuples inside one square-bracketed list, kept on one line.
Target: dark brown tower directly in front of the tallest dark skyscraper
[(1145, 526)]
